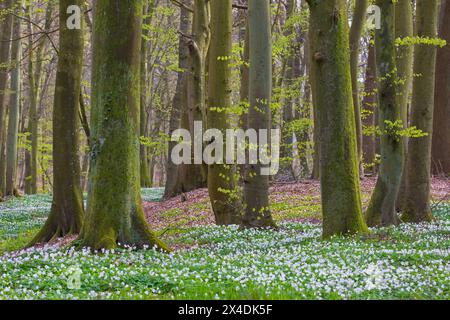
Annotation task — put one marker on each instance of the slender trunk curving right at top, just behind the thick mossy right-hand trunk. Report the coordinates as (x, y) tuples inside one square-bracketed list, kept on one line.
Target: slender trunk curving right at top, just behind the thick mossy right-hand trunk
[(356, 29)]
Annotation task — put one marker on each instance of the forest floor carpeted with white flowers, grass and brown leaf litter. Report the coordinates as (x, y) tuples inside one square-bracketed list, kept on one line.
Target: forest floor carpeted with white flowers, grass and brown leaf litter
[(210, 262)]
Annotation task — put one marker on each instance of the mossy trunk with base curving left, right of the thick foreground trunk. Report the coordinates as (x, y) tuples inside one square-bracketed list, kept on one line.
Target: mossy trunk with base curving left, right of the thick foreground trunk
[(382, 209)]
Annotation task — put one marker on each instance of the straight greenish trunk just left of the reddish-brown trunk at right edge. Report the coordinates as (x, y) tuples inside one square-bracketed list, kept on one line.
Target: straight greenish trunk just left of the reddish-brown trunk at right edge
[(418, 181)]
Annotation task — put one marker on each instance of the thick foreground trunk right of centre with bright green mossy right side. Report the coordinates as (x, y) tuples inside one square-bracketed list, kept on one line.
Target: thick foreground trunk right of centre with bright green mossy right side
[(339, 173)]
